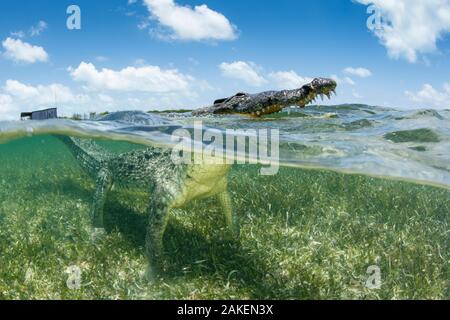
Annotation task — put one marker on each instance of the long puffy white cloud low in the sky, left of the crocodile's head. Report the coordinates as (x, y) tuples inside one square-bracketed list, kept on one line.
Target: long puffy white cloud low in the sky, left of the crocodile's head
[(151, 79)]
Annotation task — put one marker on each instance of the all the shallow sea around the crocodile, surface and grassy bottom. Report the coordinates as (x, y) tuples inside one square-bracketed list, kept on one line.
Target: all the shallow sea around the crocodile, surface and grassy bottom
[(309, 232)]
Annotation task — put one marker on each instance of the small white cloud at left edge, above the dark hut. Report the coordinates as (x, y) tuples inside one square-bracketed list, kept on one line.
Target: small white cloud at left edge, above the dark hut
[(20, 51)]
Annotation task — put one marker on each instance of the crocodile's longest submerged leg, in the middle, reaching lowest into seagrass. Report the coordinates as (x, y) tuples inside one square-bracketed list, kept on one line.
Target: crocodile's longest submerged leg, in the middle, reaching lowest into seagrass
[(158, 213)]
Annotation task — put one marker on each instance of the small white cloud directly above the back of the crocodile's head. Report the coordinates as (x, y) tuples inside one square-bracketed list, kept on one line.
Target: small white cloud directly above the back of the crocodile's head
[(244, 71)]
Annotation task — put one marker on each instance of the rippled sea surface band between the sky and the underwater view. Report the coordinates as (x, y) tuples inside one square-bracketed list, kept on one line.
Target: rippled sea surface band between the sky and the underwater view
[(409, 145)]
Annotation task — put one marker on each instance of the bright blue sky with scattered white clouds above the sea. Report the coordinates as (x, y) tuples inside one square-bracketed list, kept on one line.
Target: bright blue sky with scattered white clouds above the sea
[(170, 54)]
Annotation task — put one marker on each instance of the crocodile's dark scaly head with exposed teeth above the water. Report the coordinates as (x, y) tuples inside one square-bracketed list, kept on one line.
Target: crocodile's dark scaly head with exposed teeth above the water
[(272, 101)]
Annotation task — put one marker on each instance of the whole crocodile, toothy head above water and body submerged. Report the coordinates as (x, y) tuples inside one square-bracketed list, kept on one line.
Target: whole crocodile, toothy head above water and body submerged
[(175, 185)]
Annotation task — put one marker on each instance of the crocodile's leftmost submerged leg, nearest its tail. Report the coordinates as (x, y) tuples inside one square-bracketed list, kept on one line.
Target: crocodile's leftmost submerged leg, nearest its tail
[(103, 185)]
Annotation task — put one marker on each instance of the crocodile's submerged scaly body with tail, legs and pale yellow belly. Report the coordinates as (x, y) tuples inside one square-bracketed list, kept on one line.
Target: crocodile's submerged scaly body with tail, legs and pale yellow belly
[(170, 185)]
